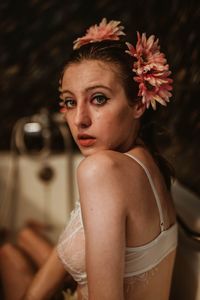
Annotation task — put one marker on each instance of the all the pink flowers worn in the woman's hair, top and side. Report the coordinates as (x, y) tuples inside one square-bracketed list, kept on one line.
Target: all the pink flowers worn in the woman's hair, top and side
[(150, 65)]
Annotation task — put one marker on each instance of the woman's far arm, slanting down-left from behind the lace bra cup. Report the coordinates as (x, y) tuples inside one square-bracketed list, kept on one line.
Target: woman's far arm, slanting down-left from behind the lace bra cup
[(48, 279)]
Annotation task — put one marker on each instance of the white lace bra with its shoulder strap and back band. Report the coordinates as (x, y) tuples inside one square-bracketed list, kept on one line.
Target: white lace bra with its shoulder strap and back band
[(138, 260)]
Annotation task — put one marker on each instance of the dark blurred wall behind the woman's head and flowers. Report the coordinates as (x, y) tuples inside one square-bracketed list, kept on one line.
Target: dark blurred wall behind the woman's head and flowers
[(36, 39)]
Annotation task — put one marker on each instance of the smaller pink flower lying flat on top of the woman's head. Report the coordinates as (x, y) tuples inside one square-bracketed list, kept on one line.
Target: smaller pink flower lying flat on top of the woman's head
[(104, 31)]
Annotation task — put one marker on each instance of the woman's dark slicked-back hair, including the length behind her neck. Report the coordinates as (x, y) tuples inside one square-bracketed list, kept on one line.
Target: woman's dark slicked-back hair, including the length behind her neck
[(113, 52)]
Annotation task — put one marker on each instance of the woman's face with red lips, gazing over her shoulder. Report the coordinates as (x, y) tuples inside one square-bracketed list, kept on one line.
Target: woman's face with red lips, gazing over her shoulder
[(96, 107)]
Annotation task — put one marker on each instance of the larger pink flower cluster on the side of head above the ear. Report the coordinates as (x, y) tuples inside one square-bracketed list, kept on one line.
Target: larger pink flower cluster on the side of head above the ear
[(152, 71)]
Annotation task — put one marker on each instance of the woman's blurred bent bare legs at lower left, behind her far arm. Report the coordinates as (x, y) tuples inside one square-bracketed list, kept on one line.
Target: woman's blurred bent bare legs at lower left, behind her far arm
[(26, 258)]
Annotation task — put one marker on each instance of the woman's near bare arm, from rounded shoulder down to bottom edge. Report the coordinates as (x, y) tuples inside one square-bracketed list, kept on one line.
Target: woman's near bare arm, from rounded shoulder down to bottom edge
[(104, 214)]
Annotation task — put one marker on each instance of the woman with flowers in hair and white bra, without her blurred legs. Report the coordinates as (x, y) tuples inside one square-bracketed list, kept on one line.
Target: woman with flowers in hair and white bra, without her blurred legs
[(121, 240)]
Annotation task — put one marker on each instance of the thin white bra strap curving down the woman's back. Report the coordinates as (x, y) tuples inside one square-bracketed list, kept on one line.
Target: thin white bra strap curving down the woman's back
[(153, 189)]
